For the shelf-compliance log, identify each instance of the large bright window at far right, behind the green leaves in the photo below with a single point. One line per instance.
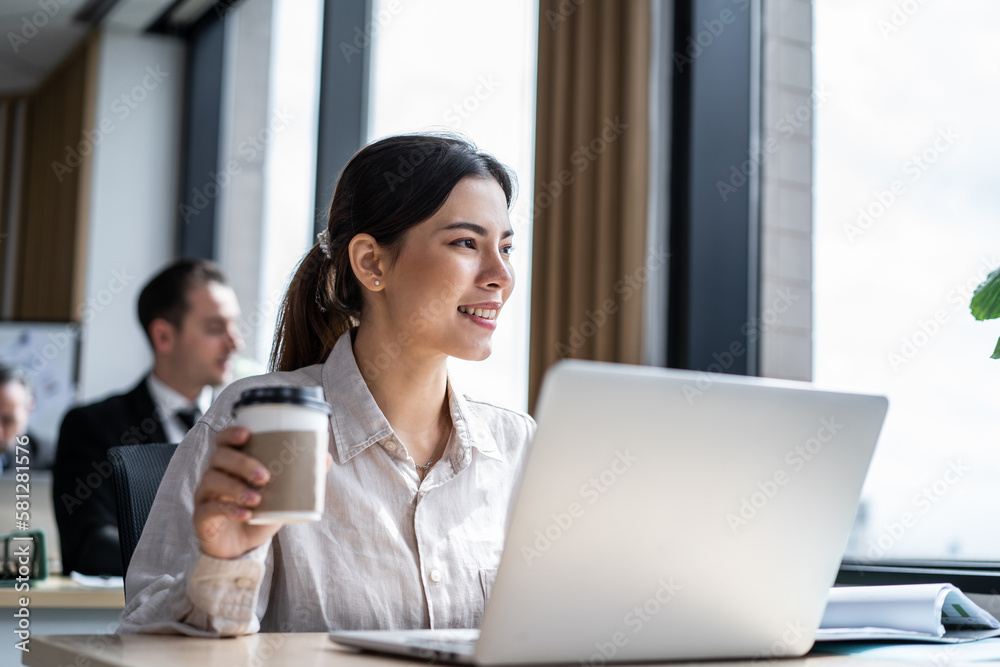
(906, 206)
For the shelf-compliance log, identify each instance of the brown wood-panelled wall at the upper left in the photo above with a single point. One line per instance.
(52, 176)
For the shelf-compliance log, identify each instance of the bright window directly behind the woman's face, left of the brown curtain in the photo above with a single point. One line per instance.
(469, 68)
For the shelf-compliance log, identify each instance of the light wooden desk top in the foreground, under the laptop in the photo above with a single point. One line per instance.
(305, 649)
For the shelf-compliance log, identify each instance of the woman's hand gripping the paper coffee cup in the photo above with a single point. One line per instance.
(224, 499)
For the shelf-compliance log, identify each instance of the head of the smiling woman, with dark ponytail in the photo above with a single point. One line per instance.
(462, 198)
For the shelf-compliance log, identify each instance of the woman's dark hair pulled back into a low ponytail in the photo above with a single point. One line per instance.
(385, 189)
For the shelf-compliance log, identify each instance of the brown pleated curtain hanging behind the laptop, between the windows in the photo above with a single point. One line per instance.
(591, 179)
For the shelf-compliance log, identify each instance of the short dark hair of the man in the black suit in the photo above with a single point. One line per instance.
(165, 296)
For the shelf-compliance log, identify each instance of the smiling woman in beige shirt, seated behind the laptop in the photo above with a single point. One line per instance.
(413, 267)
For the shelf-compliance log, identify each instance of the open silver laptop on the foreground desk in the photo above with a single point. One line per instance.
(667, 515)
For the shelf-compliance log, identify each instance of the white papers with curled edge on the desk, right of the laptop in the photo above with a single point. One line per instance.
(917, 612)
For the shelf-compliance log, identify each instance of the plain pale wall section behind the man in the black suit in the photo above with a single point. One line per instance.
(133, 201)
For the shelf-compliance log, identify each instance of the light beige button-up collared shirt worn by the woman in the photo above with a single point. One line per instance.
(392, 551)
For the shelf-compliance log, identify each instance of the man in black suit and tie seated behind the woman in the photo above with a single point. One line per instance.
(189, 315)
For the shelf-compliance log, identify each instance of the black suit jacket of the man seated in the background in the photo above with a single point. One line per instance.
(82, 489)
